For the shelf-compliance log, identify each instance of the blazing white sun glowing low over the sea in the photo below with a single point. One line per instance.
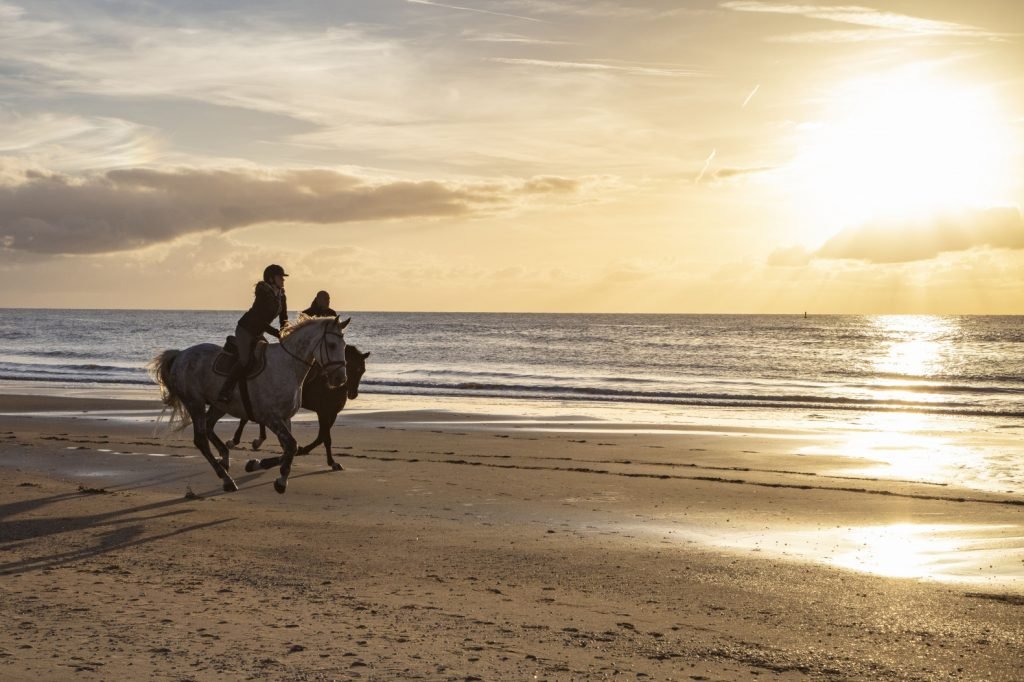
(904, 146)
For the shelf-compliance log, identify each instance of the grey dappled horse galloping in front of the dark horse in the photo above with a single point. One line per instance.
(189, 386)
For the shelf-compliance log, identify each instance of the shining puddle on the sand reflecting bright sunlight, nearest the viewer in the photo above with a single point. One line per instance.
(980, 556)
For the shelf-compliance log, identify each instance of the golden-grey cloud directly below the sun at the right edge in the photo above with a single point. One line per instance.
(897, 242)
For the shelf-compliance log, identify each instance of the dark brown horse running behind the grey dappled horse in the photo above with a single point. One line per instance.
(323, 400)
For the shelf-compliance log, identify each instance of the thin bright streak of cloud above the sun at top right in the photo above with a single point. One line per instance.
(891, 22)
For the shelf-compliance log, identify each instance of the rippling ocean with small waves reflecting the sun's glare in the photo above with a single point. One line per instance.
(917, 364)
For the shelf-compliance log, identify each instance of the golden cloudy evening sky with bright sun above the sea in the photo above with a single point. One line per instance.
(576, 156)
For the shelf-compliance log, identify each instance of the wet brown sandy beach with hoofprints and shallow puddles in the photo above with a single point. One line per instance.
(461, 546)
